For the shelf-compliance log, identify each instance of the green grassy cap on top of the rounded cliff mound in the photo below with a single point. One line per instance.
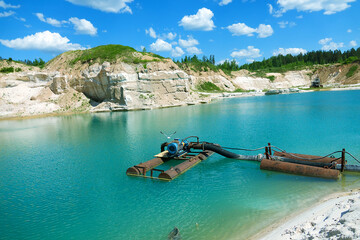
(110, 53)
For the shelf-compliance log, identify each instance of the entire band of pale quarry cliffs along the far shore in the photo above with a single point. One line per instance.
(65, 87)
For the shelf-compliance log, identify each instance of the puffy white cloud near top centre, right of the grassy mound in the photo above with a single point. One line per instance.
(201, 21)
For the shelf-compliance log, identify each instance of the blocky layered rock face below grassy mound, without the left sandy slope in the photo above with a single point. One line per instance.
(155, 84)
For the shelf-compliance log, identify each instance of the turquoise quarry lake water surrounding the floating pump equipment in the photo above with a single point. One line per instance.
(64, 177)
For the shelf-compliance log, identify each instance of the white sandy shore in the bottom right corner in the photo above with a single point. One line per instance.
(336, 217)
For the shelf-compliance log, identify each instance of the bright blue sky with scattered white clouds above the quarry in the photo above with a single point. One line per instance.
(246, 30)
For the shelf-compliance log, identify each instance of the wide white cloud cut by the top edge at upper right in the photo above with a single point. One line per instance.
(328, 6)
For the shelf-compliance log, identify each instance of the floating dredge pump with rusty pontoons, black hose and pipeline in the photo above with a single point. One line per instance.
(190, 154)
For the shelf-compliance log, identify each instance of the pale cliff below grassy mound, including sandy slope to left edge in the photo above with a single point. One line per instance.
(96, 87)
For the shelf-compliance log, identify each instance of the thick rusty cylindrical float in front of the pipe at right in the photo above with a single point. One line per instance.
(299, 169)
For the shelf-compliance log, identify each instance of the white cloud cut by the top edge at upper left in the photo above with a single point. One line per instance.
(114, 6)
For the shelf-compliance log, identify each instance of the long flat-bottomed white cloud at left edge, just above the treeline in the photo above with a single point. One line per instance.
(44, 41)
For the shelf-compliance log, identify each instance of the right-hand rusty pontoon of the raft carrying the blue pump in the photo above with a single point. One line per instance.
(179, 169)
